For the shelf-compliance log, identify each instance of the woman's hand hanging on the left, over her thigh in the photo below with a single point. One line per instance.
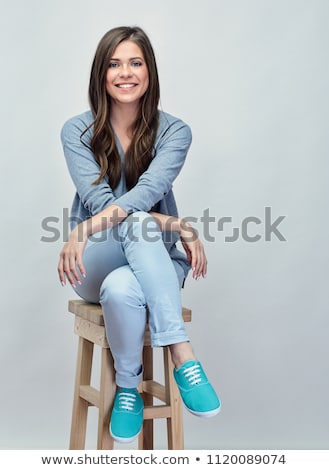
(71, 256)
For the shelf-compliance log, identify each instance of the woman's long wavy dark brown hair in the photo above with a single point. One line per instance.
(139, 153)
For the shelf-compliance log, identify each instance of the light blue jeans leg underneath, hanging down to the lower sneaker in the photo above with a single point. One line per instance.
(110, 281)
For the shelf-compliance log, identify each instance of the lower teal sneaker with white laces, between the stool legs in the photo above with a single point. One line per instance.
(127, 415)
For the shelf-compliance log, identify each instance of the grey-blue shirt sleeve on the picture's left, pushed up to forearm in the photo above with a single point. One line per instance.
(83, 168)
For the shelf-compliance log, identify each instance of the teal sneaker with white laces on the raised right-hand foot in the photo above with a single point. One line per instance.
(197, 394)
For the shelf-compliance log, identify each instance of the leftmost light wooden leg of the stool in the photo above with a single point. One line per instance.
(80, 406)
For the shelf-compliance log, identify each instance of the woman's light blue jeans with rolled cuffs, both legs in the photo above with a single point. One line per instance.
(128, 270)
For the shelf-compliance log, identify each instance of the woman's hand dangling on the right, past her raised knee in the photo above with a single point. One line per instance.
(194, 250)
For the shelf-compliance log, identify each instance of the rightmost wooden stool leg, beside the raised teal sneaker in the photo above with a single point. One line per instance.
(175, 422)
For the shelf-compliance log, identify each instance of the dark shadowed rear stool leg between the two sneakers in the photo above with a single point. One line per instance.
(146, 437)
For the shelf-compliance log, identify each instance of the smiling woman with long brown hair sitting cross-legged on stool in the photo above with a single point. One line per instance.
(123, 156)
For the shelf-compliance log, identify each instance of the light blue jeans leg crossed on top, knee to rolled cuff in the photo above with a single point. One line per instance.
(152, 266)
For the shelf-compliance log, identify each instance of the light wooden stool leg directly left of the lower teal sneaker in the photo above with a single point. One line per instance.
(106, 399)
